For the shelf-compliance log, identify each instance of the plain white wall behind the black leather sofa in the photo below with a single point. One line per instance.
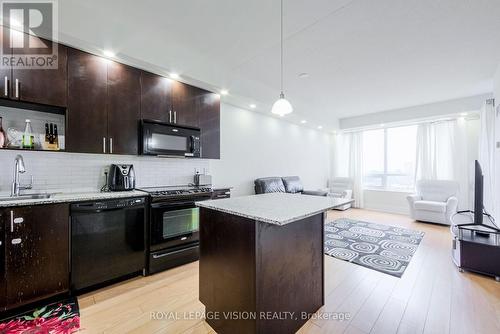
(255, 145)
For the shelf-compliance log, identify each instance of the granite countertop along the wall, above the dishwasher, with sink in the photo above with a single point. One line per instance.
(71, 197)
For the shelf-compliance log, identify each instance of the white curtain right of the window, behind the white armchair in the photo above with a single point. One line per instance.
(442, 154)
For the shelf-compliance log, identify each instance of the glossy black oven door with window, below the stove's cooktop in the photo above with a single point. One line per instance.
(174, 224)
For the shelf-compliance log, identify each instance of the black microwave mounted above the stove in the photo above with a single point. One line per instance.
(164, 139)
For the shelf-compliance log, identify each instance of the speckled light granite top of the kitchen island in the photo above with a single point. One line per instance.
(275, 208)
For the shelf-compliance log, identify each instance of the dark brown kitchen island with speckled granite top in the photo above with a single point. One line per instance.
(261, 261)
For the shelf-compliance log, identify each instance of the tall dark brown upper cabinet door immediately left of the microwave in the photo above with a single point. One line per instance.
(123, 106)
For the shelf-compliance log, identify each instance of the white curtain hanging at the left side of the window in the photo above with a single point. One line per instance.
(348, 157)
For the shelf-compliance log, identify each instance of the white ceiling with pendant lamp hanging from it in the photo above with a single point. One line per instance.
(362, 56)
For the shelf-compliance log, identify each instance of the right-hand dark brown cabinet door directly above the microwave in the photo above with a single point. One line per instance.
(185, 104)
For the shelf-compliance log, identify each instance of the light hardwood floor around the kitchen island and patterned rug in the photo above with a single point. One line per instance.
(431, 297)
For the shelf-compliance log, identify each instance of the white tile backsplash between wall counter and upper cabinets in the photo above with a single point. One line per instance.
(72, 172)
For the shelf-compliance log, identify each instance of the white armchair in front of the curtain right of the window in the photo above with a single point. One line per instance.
(435, 201)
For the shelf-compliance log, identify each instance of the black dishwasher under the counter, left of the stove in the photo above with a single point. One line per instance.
(107, 241)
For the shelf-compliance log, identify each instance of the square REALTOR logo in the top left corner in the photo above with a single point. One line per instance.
(28, 34)
